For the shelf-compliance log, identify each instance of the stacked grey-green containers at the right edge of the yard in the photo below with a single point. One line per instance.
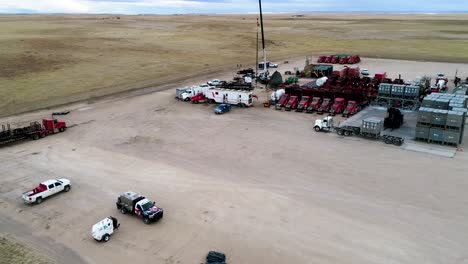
(441, 118)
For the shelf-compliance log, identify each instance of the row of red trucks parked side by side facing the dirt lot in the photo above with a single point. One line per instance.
(318, 105)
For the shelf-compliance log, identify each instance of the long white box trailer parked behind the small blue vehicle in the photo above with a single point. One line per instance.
(233, 97)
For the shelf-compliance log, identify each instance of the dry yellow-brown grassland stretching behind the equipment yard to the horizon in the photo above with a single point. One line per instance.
(50, 60)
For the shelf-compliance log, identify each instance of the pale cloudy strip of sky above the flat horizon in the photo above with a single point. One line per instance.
(227, 6)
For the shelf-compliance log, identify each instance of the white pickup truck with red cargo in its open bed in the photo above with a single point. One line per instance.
(46, 189)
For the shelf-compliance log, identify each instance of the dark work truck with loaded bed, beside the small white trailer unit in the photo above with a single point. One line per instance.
(138, 205)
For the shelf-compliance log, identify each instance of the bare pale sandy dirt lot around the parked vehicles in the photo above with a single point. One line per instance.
(257, 184)
